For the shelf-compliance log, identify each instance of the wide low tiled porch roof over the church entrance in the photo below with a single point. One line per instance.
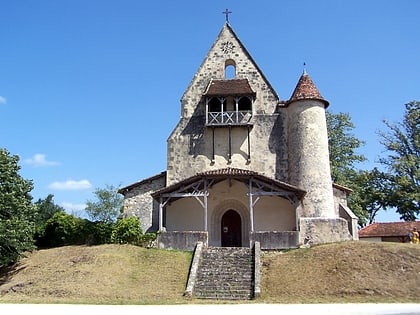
(230, 173)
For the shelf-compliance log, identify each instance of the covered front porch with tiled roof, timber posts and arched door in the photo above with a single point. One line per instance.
(229, 208)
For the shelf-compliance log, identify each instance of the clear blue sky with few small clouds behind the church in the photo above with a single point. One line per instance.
(90, 89)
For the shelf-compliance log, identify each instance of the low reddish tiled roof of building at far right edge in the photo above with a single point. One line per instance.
(396, 229)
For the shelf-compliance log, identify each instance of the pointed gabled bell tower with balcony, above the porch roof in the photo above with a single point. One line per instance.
(227, 114)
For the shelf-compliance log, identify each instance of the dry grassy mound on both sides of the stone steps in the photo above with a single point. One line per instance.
(112, 274)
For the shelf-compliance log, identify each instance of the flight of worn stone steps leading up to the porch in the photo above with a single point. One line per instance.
(225, 273)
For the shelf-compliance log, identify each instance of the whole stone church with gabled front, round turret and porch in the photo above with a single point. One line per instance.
(244, 166)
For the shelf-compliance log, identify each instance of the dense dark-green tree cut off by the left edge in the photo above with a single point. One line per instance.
(16, 210)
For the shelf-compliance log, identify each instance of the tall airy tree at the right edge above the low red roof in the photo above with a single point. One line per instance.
(402, 142)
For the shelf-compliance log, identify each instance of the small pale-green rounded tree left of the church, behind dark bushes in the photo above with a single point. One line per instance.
(108, 206)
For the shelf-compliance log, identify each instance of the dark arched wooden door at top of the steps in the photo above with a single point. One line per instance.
(231, 229)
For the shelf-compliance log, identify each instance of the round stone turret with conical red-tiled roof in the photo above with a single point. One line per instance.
(309, 164)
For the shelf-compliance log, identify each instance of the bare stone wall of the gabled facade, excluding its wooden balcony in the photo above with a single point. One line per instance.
(190, 145)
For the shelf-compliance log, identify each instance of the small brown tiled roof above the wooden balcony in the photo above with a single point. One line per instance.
(229, 87)
